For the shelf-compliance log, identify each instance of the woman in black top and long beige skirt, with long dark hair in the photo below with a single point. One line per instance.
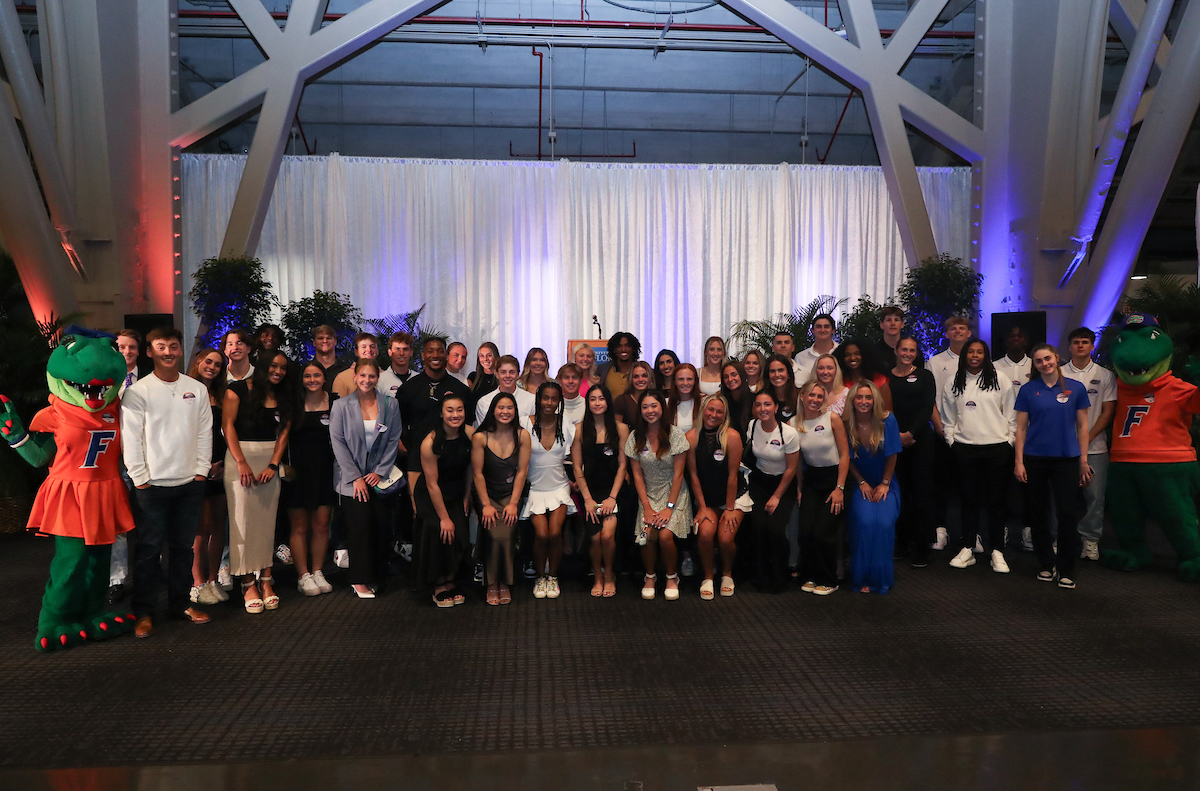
(256, 417)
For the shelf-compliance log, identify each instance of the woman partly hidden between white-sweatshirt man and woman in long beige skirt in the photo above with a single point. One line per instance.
(209, 369)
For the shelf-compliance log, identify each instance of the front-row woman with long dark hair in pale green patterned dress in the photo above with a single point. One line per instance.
(658, 454)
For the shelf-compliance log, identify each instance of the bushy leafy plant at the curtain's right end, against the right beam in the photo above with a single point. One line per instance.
(938, 290)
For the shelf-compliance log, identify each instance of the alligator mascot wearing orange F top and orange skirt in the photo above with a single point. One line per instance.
(83, 504)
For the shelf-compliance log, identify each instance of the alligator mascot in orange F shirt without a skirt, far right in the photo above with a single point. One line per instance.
(1154, 470)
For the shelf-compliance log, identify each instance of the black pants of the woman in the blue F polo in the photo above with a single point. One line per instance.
(1055, 477)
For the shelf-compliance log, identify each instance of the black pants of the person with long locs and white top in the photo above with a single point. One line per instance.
(985, 471)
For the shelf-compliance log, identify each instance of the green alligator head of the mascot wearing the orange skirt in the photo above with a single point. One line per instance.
(86, 370)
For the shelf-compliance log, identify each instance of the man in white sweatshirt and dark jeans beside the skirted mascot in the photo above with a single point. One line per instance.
(167, 438)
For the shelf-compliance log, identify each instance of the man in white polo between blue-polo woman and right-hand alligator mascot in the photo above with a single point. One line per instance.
(1102, 392)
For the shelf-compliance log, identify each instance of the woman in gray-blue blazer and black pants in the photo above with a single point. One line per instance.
(364, 429)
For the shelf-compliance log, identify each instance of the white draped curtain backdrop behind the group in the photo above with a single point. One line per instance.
(525, 254)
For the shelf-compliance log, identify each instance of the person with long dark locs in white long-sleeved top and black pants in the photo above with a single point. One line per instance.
(981, 429)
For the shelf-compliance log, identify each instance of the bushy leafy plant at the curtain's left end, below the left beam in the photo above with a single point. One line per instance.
(231, 293)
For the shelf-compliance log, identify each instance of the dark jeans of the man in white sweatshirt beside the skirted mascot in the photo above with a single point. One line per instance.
(167, 519)
